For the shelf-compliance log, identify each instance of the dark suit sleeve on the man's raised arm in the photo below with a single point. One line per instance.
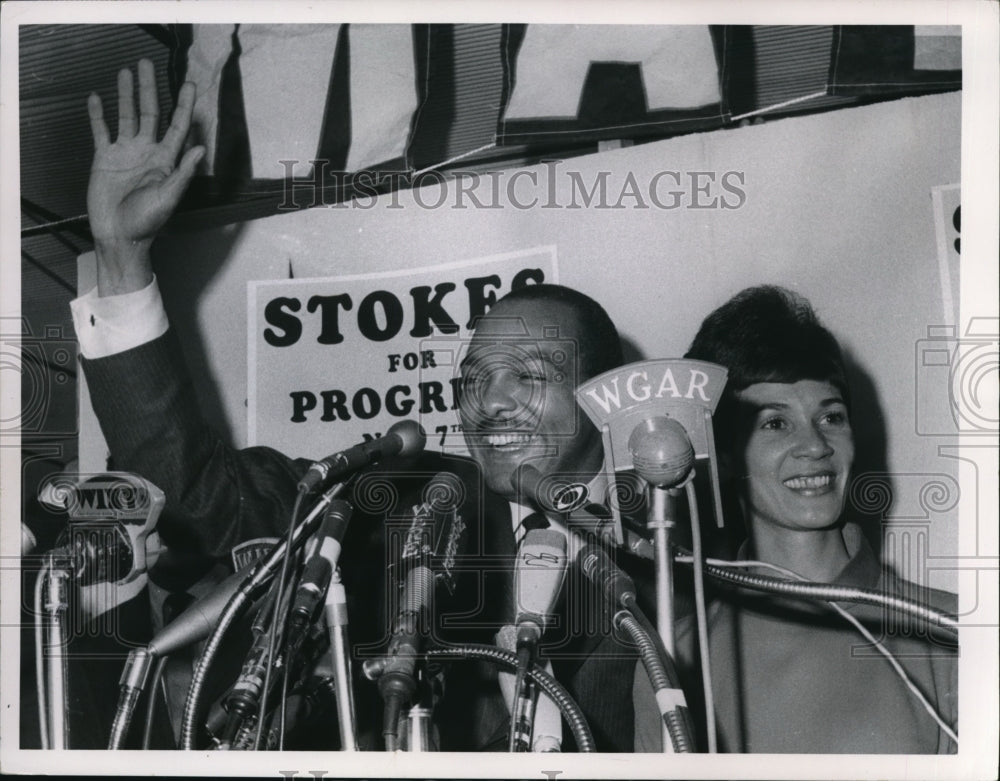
(216, 496)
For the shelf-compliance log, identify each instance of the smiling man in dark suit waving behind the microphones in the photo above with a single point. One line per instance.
(518, 407)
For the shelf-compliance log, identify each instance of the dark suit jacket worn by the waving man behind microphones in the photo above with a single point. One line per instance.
(218, 497)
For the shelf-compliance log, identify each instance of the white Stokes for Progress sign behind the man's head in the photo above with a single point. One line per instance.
(337, 360)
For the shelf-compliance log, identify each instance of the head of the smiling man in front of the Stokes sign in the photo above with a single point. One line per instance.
(519, 379)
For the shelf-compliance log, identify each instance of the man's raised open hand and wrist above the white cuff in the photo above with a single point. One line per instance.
(134, 183)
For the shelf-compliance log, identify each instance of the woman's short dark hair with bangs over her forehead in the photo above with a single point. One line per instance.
(769, 334)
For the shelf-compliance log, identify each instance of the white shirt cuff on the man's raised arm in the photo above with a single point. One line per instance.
(113, 324)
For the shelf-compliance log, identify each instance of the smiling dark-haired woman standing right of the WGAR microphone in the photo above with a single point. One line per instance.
(792, 676)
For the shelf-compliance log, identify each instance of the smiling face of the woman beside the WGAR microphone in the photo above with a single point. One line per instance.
(798, 454)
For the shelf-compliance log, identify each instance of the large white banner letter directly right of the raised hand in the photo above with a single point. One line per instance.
(285, 77)
